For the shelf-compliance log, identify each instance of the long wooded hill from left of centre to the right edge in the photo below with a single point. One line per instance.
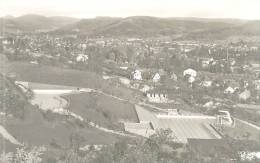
(192, 28)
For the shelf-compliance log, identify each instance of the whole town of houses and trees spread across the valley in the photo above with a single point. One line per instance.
(215, 58)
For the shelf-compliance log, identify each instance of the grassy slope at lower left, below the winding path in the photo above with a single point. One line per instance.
(36, 127)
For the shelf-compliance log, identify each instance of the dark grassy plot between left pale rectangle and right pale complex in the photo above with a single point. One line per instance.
(103, 110)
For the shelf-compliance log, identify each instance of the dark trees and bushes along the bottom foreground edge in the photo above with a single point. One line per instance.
(159, 148)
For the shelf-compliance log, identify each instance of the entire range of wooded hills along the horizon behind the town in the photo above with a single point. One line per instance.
(192, 28)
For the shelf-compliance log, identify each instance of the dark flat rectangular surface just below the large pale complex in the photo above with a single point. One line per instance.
(219, 148)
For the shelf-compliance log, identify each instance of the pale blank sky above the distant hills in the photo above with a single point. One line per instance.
(242, 9)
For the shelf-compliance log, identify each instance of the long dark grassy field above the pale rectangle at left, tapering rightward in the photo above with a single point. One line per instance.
(67, 77)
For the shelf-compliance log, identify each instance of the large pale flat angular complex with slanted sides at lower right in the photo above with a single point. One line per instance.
(183, 127)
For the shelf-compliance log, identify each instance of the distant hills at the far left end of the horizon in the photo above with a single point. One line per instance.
(33, 23)
